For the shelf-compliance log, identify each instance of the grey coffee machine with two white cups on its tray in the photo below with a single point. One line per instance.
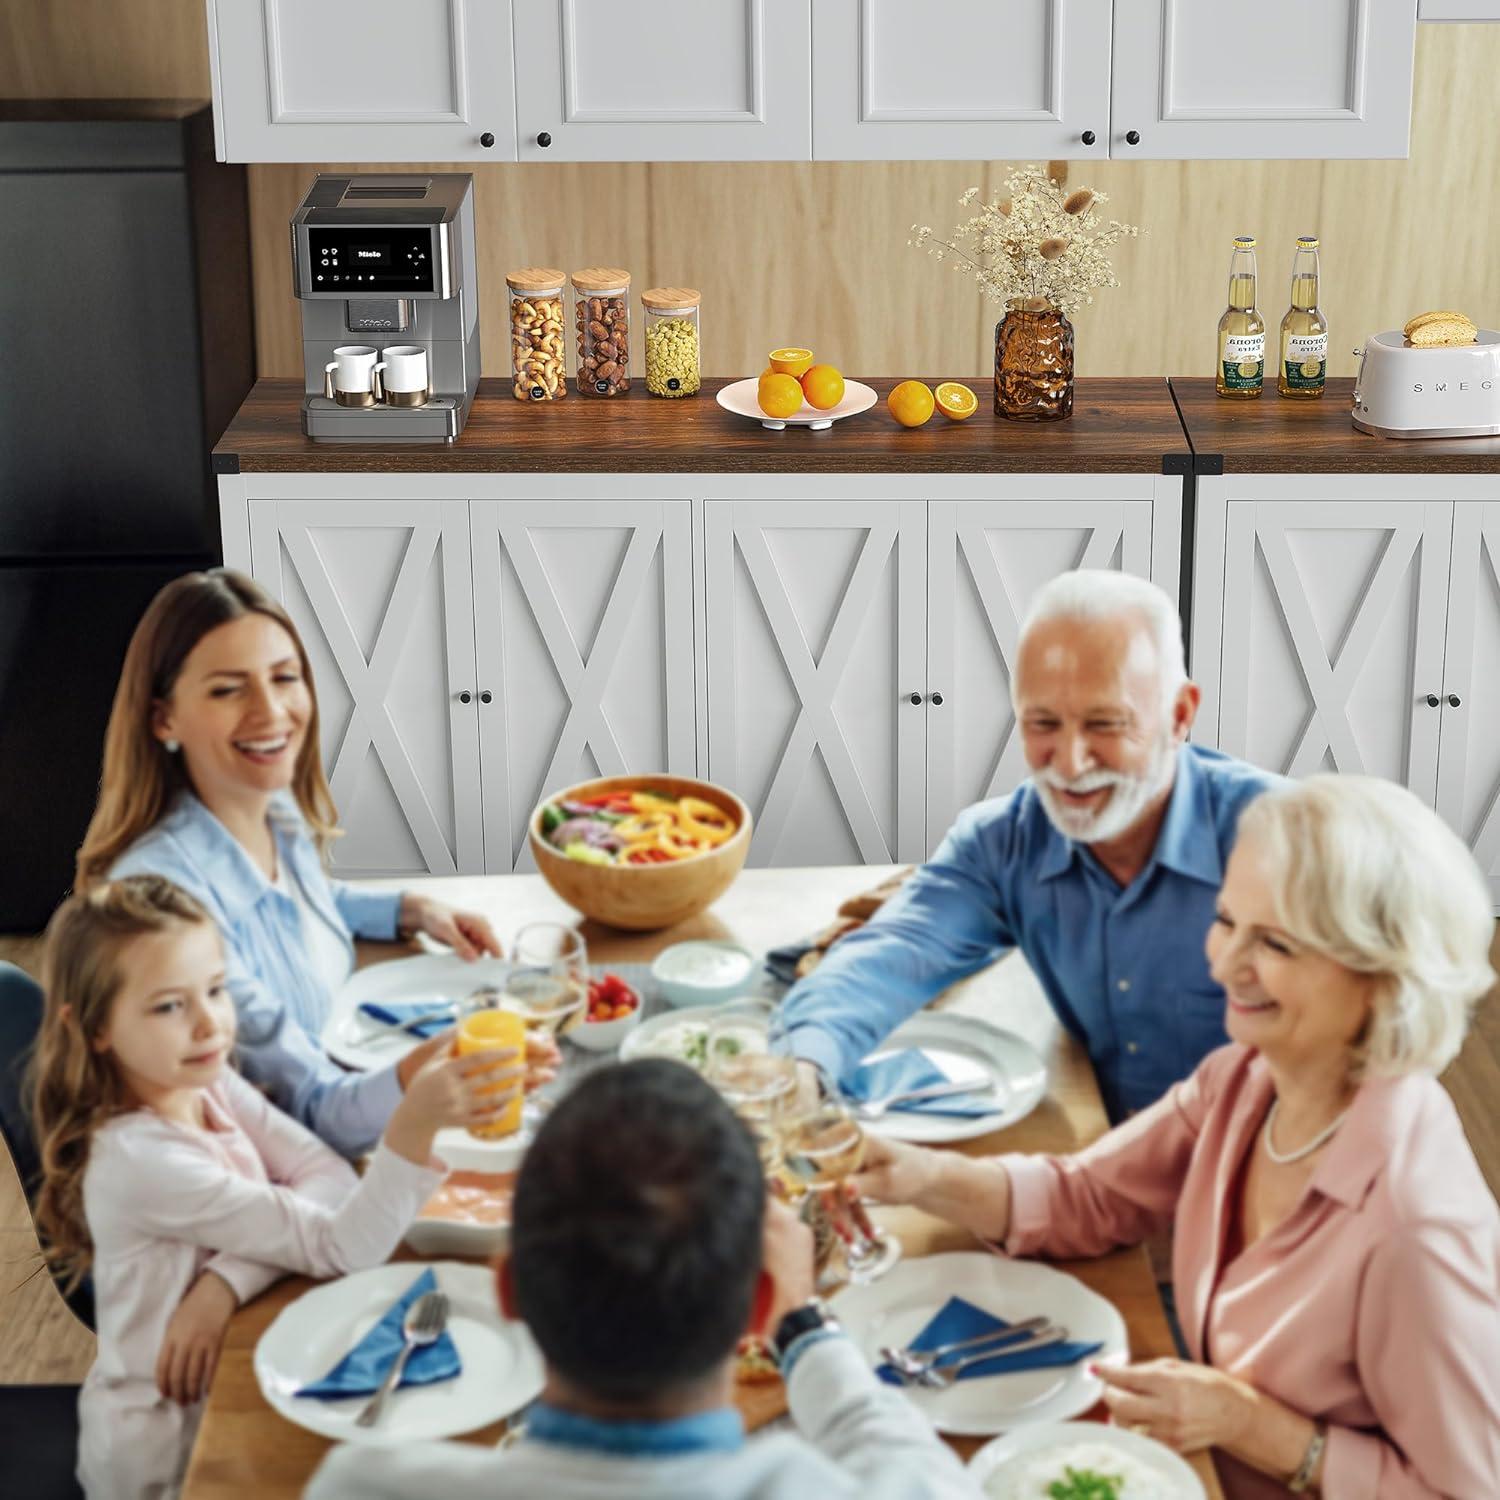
(386, 262)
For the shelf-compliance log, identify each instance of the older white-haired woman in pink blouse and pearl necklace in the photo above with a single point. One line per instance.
(1337, 1252)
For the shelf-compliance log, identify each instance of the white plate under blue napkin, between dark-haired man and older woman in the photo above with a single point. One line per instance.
(898, 1307)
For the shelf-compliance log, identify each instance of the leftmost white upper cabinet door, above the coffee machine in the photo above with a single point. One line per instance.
(382, 82)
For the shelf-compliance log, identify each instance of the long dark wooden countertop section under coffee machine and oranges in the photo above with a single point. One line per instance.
(1117, 427)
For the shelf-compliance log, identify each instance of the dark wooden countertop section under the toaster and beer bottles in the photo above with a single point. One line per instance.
(1276, 436)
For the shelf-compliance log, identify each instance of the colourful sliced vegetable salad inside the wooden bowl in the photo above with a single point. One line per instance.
(635, 829)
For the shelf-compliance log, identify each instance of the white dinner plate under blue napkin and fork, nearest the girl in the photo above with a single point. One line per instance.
(502, 1364)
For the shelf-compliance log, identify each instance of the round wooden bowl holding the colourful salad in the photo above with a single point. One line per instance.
(646, 898)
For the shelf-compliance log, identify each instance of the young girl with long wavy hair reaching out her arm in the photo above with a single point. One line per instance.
(178, 1183)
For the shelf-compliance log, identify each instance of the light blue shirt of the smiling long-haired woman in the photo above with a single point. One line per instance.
(280, 1003)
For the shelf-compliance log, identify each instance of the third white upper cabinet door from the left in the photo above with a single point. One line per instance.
(1030, 79)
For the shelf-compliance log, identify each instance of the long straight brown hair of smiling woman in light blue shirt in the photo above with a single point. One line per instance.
(140, 776)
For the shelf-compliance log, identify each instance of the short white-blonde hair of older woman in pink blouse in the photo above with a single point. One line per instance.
(1367, 875)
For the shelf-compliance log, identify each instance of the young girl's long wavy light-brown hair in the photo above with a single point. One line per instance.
(76, 1088)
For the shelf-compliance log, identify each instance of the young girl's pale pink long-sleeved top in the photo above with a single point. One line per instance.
(251, 1198)
